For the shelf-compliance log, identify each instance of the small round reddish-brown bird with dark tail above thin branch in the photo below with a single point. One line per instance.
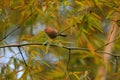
(53, 33)
